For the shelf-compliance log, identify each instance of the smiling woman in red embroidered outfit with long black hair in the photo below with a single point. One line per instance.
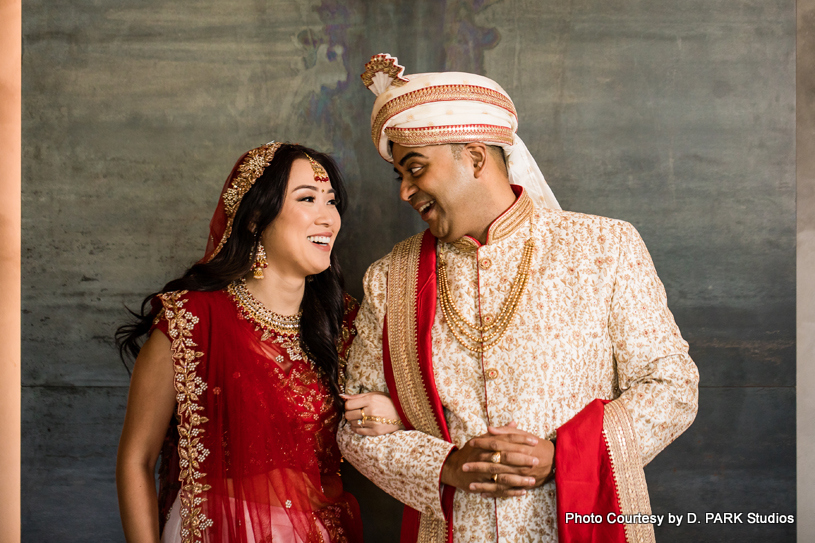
(239, 391)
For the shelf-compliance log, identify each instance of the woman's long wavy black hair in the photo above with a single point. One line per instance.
(323, 303)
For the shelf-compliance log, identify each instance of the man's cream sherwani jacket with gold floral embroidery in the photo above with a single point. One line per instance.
(592, 323)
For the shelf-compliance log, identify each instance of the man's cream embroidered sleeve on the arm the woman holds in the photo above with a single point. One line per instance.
(405, 464)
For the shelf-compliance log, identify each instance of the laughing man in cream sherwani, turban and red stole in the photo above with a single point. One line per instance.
(529, 351)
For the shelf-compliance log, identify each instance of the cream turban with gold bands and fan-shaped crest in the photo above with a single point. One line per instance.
(449, 107)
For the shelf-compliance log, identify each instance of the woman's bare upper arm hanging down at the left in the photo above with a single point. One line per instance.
(150, 406)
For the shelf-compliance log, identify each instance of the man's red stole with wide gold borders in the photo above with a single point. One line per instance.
(598, 468)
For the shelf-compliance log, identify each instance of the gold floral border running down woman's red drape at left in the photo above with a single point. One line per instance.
(189, 388)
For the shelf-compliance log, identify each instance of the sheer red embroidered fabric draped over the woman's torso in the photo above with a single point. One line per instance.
(255, 453)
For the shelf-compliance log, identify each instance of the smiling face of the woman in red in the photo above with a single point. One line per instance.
(300, 239)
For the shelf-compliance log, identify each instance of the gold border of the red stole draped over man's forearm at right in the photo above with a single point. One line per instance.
(626, 463)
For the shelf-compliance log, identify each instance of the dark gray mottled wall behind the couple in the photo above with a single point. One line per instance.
(677, 116)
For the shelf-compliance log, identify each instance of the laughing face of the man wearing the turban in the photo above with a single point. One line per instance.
(438, 185)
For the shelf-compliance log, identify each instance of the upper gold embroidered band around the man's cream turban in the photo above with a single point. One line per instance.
(439, 93)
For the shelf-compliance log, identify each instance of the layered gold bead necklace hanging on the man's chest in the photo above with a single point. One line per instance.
(480, 339)
